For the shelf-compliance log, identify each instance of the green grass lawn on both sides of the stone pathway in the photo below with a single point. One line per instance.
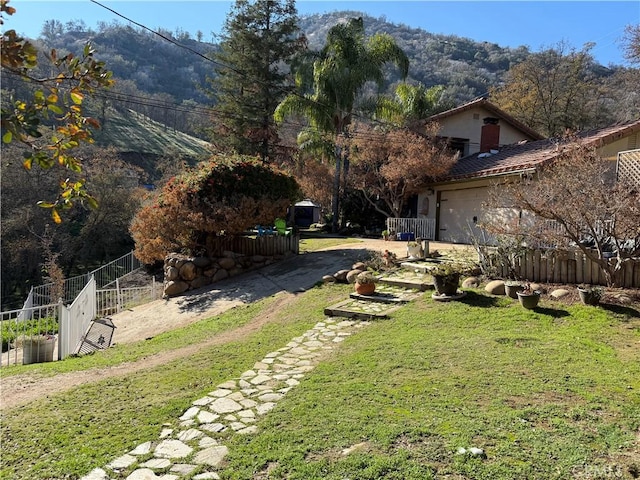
(546, 394)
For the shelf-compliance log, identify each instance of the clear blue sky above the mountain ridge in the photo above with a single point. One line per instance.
(536, 24)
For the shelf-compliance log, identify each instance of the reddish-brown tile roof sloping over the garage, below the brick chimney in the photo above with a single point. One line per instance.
(529, 155)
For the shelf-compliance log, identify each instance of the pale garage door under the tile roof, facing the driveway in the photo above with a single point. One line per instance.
(460, 212)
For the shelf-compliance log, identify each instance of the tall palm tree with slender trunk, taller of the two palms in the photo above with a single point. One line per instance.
(331, 81)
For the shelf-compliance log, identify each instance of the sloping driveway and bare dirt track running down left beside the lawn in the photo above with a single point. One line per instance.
(284, 279)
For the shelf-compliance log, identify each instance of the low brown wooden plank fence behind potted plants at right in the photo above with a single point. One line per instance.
(566, 266)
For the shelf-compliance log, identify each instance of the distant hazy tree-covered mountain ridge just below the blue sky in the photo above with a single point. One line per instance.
(148, 64)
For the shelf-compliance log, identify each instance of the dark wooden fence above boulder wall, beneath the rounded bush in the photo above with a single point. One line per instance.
(266, 245)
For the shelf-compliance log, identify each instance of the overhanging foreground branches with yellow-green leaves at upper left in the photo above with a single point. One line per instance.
(56, 99)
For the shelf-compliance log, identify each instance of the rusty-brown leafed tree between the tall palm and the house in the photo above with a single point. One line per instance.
(390, 165)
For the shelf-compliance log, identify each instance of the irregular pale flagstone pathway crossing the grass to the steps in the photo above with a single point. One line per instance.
(193, 445)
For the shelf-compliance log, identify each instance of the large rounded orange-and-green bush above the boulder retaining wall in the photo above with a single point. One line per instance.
(222, 196)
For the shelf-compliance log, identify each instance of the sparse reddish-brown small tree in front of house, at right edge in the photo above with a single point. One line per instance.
(575, 202)
